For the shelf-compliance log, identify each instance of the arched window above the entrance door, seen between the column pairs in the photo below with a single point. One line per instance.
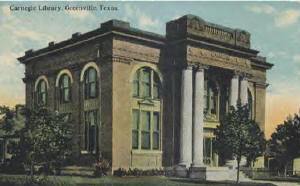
(211, 99)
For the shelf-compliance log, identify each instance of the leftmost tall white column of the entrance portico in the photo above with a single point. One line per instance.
(186, 117)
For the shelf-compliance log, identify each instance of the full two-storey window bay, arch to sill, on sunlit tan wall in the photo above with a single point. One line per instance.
(146, 119)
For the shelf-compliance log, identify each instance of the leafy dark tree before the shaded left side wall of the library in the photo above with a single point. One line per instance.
(45, 139)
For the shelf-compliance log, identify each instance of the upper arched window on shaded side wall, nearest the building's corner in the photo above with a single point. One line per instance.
(90, 83)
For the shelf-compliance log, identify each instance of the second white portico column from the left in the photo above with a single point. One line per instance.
(198, 119)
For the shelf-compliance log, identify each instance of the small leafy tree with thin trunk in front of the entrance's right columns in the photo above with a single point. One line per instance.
(238, 136)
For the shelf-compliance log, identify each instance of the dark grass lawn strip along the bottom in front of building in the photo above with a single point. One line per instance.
(17, 180)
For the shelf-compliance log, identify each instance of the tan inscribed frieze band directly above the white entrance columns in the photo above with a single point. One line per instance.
(219, 59)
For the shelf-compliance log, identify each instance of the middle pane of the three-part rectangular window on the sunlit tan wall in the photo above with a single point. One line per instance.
(145, 122)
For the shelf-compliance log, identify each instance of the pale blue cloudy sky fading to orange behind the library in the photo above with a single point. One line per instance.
(274, 28)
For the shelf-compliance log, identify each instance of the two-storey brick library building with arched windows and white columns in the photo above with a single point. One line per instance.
(146, 100)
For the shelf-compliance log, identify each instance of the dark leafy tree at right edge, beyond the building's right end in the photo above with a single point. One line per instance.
(285, 142)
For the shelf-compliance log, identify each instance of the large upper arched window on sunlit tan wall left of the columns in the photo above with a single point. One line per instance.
(146, 84)
